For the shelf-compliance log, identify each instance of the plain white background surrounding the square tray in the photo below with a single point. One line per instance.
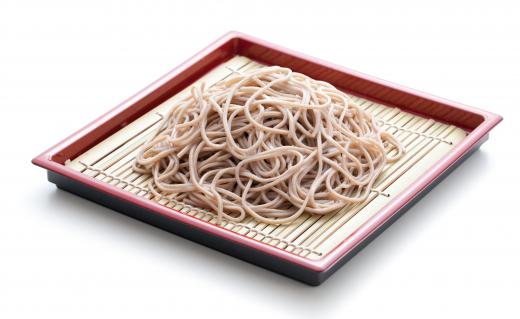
(456, 253)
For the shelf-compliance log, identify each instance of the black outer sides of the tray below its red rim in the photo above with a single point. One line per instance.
(265, 260)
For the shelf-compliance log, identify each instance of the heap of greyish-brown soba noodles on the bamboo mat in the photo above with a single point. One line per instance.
(270, 143)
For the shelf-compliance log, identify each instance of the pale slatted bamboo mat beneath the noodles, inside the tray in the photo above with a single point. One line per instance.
(424, 140)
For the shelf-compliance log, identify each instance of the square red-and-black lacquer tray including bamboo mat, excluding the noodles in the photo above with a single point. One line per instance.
(437, 134)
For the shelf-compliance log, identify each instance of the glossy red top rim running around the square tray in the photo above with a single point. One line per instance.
(490, 120)
